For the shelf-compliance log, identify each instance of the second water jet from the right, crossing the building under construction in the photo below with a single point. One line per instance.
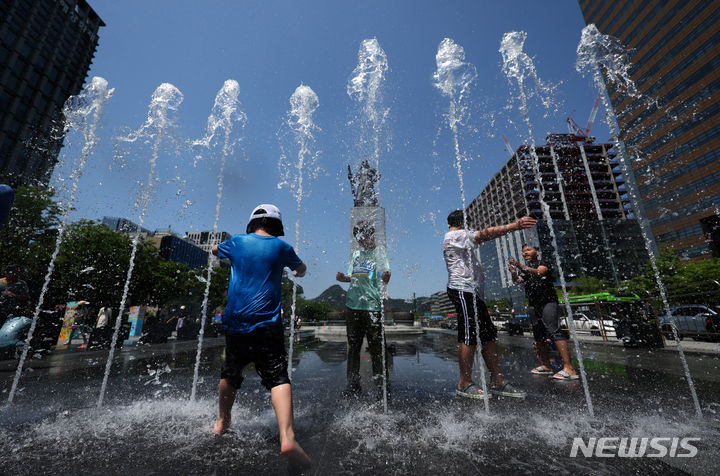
(518, 67)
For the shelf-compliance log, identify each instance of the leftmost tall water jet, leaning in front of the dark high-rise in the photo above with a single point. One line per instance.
(82, 113)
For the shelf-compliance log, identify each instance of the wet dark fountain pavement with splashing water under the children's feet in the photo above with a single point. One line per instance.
(149, 426)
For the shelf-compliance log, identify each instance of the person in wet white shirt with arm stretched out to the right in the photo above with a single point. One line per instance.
(466, 290)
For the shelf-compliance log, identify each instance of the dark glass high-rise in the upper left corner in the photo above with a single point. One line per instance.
(46, 48)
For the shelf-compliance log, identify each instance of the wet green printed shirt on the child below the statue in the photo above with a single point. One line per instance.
(365, 270)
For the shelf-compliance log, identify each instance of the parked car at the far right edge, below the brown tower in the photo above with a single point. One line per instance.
(693, 320)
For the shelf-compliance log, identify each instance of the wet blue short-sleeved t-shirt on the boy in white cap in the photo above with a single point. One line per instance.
(255, 291)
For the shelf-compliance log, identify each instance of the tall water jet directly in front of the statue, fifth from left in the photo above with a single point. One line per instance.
(365, 88)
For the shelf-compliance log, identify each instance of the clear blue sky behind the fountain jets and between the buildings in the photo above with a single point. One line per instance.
(271, 47)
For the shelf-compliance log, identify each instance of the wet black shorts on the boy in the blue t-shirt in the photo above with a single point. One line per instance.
(265, 347)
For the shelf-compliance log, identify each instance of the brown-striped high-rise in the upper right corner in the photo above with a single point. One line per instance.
(672, 132)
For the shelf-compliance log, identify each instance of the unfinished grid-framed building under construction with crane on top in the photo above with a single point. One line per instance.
(581, 183)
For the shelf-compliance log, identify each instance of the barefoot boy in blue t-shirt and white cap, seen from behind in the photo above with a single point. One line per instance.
(252, 320)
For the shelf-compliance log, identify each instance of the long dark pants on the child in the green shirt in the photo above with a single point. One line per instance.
(361, 324)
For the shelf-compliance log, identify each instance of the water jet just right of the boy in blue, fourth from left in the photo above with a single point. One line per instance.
(303, 103)
